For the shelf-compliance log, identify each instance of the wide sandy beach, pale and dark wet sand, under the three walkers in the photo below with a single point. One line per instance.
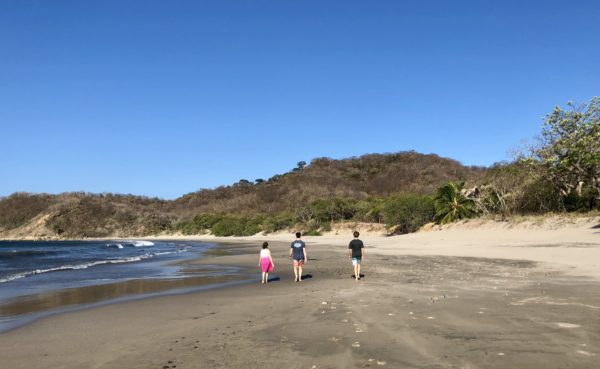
(470, 296)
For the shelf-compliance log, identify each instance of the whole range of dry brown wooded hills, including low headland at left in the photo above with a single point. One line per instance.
(76, 215)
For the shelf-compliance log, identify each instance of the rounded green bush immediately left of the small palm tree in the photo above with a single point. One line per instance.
(408, 212)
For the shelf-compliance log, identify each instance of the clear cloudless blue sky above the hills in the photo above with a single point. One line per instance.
(163, 98)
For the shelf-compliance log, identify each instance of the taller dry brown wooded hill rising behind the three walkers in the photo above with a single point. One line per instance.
(356, 178)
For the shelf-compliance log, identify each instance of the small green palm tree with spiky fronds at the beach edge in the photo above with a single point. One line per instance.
(451, 205)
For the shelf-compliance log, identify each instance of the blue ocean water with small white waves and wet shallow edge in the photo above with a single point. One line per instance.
(37, 278)
